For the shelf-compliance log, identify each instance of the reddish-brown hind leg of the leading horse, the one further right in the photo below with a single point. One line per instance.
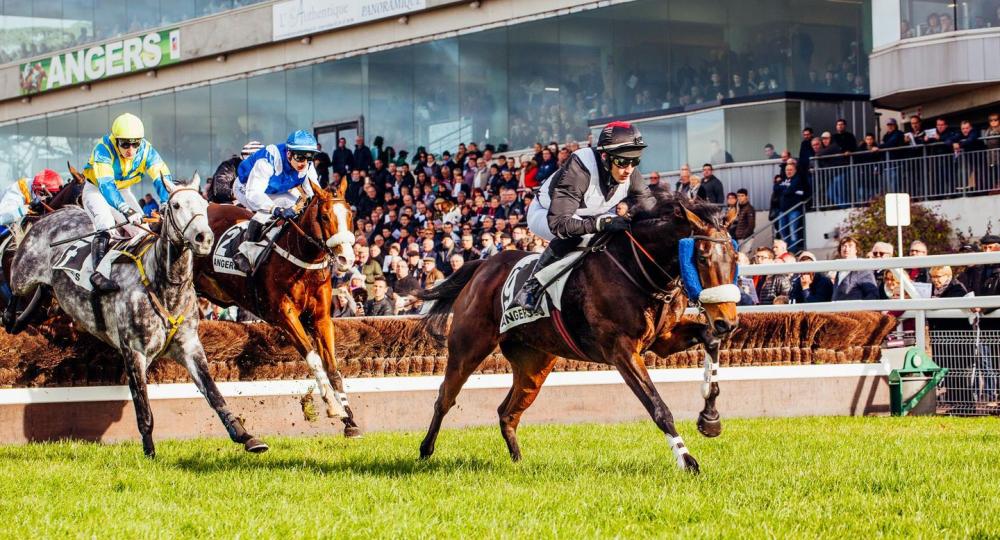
(531, 367)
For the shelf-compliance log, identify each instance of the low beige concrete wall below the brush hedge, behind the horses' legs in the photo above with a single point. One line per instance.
(111, 421)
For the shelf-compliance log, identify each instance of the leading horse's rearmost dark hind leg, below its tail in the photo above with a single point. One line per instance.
(463, 359)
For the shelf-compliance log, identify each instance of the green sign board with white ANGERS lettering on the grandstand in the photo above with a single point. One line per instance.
(101, 61)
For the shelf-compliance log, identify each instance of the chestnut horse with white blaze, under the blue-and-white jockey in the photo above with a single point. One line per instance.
(291, 287)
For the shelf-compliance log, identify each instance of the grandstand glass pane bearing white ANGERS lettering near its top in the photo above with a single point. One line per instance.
(533, 84)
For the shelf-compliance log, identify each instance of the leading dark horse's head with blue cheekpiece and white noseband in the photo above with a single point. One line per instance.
(706, 258)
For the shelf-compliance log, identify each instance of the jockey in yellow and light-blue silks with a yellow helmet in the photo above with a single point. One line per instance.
(119, 160)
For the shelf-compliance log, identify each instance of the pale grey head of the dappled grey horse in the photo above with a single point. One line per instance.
(185, 216)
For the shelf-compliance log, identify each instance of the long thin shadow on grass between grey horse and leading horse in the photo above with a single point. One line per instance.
(388, 467)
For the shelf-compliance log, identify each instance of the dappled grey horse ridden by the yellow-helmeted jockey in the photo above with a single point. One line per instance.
(142, 322)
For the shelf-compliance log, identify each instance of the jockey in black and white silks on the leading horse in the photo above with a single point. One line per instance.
(579, 199)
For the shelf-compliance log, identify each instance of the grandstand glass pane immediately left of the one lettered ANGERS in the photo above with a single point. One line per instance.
(483, 86)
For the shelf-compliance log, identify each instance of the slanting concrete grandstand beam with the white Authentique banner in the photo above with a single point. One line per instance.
(244, 36)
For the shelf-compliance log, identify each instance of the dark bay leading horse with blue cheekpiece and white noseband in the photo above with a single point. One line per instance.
(620, 301)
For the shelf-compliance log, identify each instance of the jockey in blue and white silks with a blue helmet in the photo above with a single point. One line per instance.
(270, 182)
